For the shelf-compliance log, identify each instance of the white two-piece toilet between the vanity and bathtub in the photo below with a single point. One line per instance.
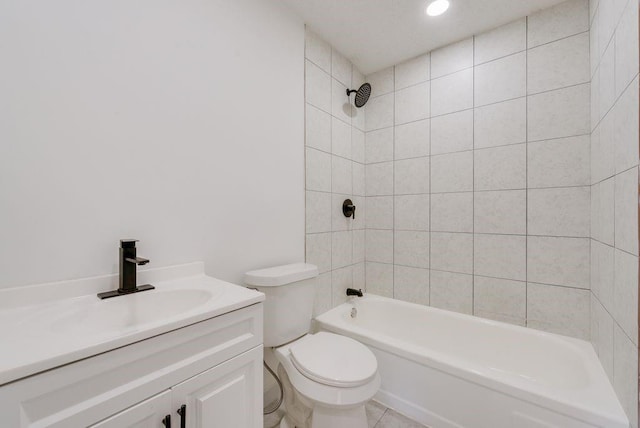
(327, 378)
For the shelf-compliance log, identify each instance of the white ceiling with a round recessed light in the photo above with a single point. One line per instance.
(375, 34)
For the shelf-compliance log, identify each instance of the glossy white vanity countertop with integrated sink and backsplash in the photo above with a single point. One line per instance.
(49, 325)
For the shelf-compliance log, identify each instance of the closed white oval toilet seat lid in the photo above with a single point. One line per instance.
(334, 360)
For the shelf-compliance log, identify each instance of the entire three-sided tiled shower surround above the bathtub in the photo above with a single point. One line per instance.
(501, 178)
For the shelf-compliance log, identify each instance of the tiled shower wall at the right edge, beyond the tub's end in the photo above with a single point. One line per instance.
(614, 194)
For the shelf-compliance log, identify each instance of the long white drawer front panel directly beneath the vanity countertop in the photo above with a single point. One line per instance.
(87, 391)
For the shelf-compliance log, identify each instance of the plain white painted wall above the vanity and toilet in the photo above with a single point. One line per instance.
(179, 123)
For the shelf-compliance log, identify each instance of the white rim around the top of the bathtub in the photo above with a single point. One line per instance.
(542, 396)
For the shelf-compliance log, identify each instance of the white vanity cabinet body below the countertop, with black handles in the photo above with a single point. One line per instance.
(213, 367)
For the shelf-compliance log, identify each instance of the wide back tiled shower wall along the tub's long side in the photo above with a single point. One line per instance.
(477, 175)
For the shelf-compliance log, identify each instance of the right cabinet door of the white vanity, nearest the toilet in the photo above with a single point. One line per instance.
(226, 396)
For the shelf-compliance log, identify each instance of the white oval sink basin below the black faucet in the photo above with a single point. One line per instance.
(132, 311)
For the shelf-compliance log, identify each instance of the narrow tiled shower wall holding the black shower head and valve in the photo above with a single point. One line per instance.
(334, 172)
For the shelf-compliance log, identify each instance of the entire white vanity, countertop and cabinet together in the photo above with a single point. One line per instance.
(186, 354)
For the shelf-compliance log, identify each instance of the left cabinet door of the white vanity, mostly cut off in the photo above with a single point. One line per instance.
(148, 414)
